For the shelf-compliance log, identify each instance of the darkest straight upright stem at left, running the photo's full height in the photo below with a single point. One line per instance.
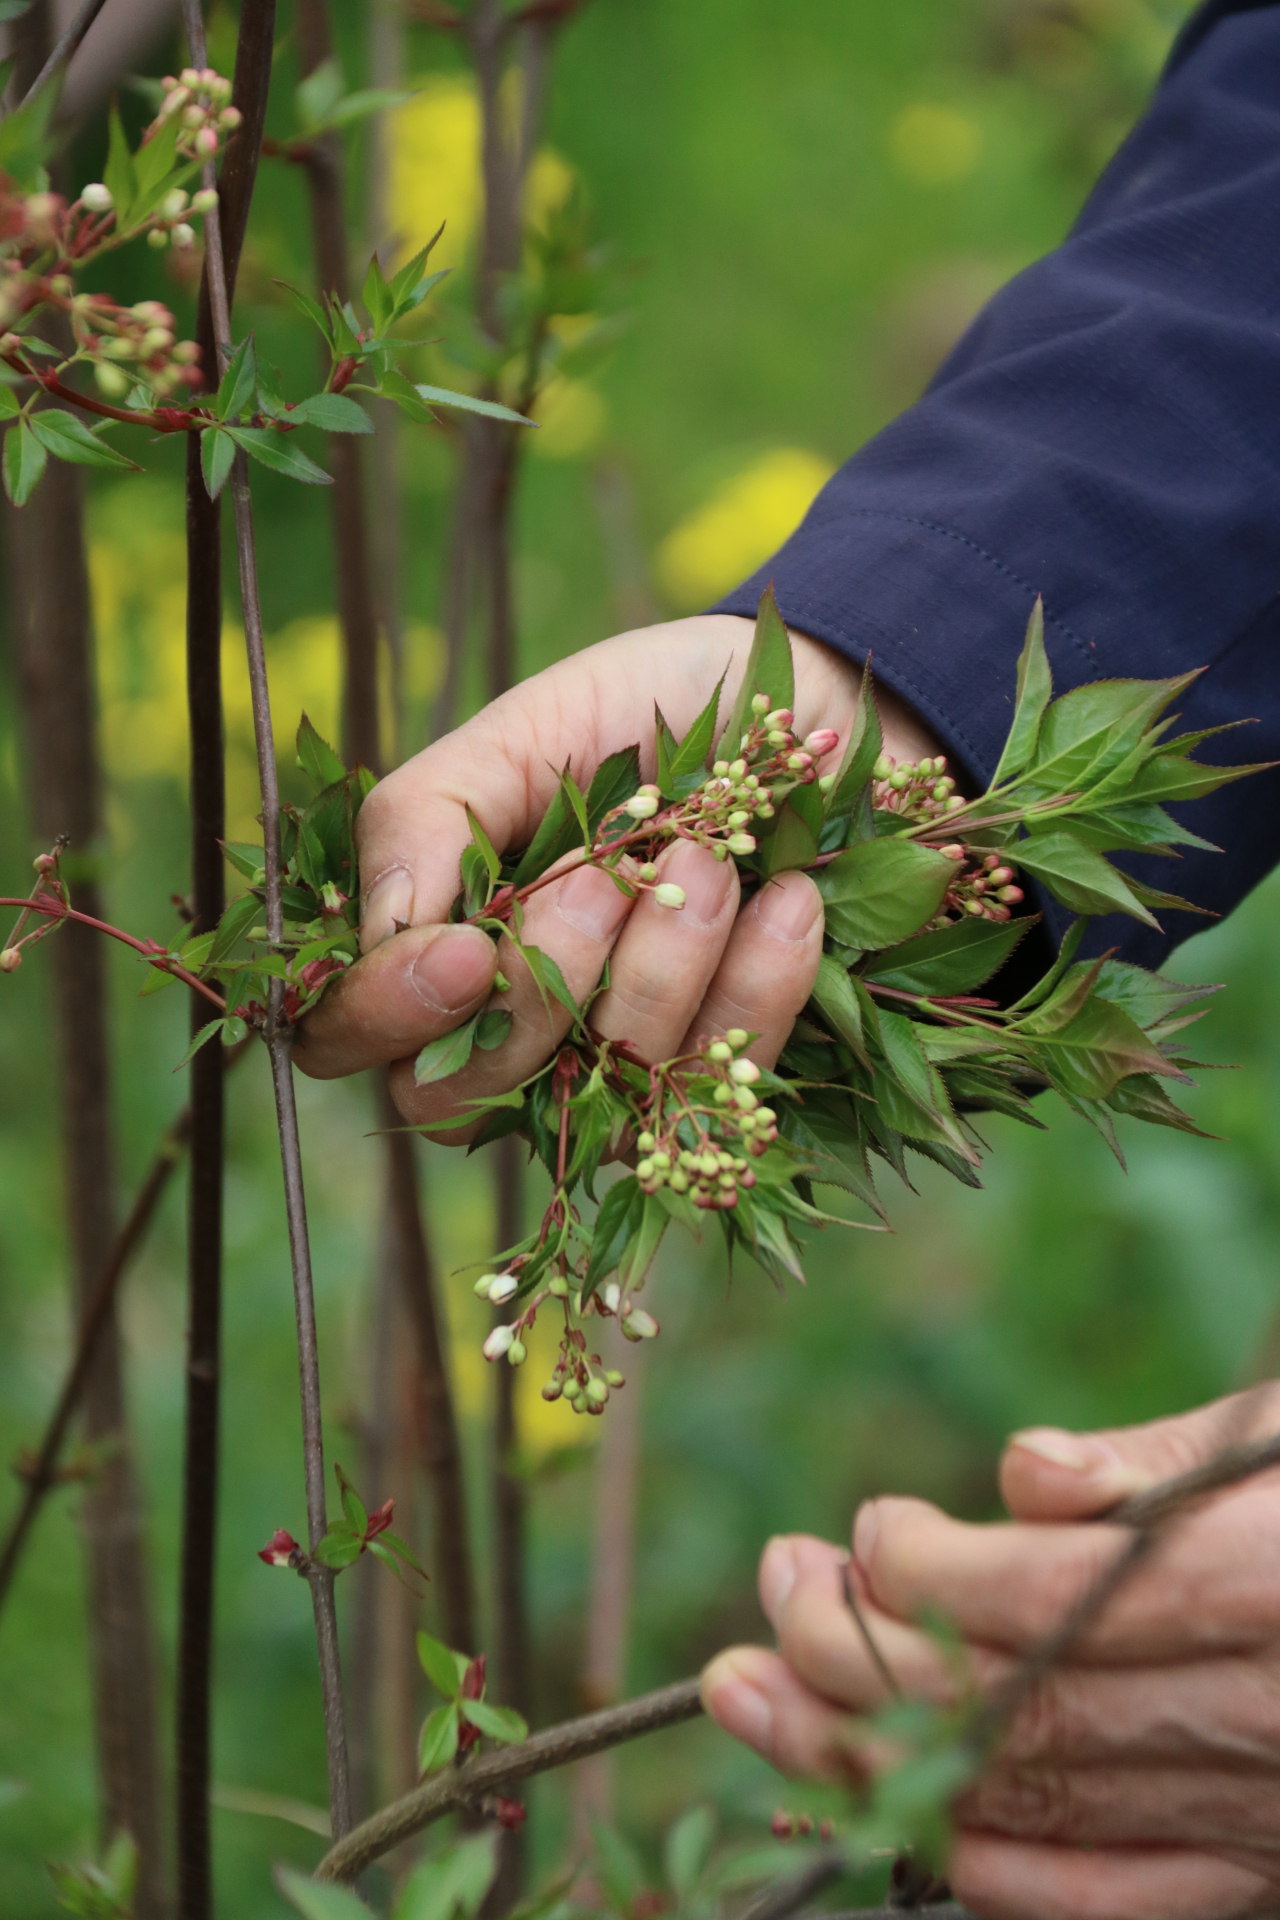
(208, 804)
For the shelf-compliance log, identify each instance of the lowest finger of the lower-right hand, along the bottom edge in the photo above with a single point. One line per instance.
(1020, 1881)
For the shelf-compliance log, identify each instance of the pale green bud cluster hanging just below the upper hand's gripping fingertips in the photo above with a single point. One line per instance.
(736, 1130)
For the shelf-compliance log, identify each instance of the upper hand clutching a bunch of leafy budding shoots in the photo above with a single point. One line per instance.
(673, 974)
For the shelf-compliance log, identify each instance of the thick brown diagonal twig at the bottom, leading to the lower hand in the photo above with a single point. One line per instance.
(467, 1787)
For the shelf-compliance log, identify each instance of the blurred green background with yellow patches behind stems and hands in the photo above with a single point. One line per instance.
(805, 206)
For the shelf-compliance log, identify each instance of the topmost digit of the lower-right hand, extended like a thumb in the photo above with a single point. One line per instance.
(1049, 1474)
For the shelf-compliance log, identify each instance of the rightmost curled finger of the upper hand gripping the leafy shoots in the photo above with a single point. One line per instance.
(769, 969)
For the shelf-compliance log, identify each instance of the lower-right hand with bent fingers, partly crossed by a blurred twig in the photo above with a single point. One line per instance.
(1158, 1748)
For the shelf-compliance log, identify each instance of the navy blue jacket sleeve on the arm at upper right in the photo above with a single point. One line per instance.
(1106, 435)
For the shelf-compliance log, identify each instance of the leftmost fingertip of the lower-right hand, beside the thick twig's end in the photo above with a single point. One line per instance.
(755, 1696)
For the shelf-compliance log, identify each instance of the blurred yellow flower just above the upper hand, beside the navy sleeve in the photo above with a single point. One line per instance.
(746, 519)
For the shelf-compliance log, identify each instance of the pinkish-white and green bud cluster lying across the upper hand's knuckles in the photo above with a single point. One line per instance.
(738, 794)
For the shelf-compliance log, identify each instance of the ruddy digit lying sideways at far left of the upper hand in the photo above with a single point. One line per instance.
(396, 999)
